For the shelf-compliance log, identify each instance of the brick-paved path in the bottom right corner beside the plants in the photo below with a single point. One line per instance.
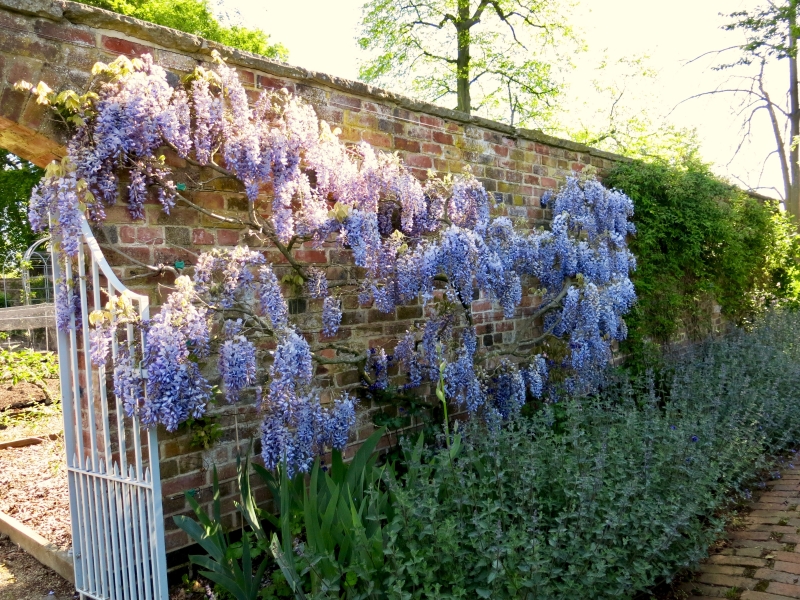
(762, 561)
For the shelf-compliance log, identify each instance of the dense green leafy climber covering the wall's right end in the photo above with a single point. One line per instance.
(699, 241)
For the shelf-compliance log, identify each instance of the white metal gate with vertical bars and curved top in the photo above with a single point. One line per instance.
(112, 462)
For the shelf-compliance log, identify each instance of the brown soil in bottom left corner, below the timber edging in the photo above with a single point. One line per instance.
(22, 577)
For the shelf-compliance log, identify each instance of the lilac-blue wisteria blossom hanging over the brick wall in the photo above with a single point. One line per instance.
(435, 242)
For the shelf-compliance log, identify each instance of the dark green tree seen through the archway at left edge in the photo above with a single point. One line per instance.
(17, 178)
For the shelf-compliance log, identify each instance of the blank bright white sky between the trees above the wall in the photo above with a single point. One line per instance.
(320, 35)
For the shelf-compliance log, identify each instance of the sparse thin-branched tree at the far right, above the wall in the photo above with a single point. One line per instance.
(770, 35)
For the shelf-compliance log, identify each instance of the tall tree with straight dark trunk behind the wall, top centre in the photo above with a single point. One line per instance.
(494, 57)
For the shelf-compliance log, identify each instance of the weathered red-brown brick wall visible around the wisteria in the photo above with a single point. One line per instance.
(58, 42)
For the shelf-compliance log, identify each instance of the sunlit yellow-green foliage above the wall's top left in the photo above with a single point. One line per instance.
(197, 18)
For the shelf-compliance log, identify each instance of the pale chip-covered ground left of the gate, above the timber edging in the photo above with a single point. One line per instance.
(34, 490)
